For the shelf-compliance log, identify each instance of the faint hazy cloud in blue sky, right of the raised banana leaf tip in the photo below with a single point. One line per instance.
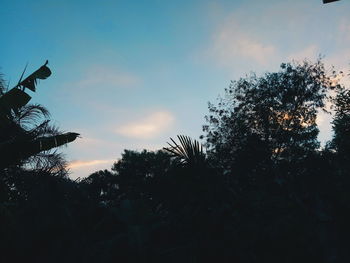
(99, 87)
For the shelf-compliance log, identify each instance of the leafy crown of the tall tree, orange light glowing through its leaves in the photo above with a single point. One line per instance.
(269, 118)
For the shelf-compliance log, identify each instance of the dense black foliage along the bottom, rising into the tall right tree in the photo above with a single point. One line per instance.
(262, 191)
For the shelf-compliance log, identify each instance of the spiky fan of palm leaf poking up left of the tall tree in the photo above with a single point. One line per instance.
(188, 151)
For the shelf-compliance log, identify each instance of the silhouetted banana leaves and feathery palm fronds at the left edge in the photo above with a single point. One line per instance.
(26, 135)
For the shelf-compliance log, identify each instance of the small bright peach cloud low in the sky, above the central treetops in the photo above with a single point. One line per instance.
(148, 127)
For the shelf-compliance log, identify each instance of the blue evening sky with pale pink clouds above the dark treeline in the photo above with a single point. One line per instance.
(132, 74)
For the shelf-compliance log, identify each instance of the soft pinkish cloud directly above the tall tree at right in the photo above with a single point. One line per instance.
(232, 42)
